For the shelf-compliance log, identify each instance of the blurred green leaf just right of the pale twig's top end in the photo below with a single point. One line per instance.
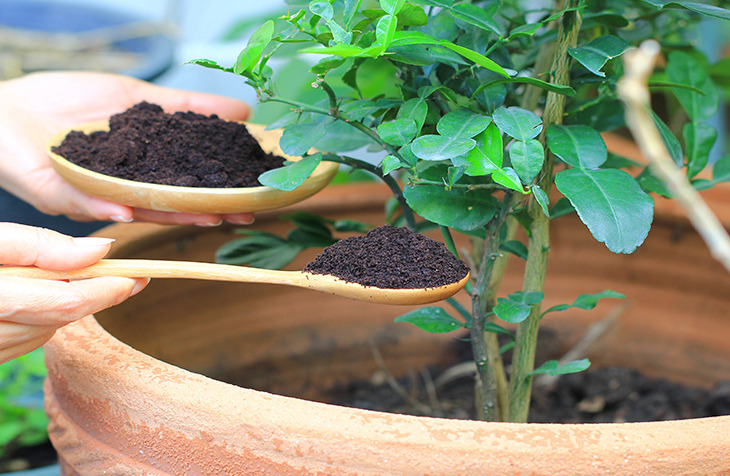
(685, 69)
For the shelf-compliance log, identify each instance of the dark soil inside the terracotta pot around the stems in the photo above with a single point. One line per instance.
(600, 395)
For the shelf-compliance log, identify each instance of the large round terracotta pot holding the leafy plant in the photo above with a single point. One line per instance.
(141, 390)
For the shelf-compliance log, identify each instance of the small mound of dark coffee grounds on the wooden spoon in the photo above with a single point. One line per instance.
(391, 258)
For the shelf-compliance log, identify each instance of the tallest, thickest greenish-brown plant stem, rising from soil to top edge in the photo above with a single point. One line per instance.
(539, 241)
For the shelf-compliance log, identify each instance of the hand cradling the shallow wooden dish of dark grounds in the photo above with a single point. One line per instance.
(38, 105)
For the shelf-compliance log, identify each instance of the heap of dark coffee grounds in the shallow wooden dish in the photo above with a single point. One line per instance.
(184, 149)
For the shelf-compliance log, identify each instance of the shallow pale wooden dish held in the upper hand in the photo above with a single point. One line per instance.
(171, 198)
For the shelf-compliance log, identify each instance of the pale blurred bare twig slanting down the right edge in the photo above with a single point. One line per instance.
(633, 90)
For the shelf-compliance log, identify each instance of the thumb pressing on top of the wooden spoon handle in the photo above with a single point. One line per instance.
(31, 246)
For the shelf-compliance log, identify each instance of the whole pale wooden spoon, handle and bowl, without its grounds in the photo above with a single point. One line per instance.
(222, 272)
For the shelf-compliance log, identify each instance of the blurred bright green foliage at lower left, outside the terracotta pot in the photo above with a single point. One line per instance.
(23, 421)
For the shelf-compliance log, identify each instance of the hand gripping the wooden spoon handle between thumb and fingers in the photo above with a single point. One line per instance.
(31, 310)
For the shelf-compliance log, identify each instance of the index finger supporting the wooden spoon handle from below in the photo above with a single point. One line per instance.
(57, 303)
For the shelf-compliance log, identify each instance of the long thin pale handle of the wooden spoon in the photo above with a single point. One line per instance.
(161, 269)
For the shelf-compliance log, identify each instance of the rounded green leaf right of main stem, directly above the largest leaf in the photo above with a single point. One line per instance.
(580, 146)
